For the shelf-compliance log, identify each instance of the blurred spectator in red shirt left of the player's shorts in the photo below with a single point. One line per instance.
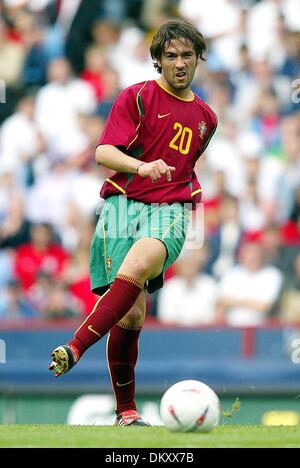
(42, 254)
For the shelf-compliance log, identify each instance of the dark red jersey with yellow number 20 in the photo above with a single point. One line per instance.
(148, 122)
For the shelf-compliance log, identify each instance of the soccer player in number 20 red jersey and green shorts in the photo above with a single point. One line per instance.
(153, 137)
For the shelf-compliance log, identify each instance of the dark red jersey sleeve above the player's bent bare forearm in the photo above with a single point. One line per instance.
(123, 121)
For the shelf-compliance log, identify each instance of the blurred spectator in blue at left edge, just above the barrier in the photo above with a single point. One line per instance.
(13, 305)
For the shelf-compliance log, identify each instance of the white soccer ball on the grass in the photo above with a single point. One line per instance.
(190, 406)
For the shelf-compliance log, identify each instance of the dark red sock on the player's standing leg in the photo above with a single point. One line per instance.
(122, 354)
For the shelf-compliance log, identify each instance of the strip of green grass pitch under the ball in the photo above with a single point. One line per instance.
(153, 437)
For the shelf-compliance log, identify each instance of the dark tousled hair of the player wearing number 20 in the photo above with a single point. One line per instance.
(176, 29)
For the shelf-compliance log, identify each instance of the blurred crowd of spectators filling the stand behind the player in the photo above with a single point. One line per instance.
(63, 63)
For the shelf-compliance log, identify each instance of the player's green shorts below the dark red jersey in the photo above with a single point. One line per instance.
(122, 222)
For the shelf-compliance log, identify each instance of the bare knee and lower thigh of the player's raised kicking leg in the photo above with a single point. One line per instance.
(145, 259)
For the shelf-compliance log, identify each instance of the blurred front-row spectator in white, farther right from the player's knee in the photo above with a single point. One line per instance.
(249, 290)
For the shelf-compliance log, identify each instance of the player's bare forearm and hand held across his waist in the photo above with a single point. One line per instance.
(112, 158)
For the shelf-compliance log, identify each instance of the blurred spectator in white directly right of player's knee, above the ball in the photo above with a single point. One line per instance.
(189, 298)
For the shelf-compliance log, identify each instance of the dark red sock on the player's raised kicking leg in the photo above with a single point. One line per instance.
(109, 310)
